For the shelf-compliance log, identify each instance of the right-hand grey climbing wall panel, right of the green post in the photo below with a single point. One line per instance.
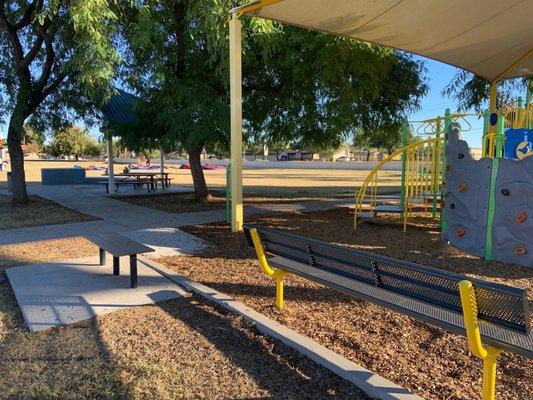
(512, 238)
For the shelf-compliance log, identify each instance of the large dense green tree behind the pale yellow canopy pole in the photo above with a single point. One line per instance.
(292, 88)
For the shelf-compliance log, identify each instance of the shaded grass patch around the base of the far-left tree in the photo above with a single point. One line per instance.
(36, 213)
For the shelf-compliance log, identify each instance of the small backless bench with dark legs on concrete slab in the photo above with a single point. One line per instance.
(119, 246)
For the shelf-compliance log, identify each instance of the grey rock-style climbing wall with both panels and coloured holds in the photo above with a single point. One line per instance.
(466, 210)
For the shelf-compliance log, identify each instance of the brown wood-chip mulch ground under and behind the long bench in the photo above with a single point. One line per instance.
(428, 360)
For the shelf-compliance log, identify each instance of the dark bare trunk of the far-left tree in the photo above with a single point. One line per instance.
(16, 155)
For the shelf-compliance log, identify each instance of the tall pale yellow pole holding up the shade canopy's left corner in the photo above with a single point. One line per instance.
(235, 34)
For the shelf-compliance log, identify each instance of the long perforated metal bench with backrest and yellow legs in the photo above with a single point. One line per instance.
(492, 316)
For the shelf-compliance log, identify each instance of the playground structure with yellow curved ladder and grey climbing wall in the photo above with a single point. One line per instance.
(487, 213)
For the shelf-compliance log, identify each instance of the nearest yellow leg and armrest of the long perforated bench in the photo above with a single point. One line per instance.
(488, 354)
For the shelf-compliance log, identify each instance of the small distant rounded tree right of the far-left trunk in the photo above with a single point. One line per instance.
(73, 141)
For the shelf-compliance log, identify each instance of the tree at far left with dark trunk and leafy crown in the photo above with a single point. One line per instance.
(55, 55)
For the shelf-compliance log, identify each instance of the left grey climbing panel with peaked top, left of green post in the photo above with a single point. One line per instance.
(466, 196)
